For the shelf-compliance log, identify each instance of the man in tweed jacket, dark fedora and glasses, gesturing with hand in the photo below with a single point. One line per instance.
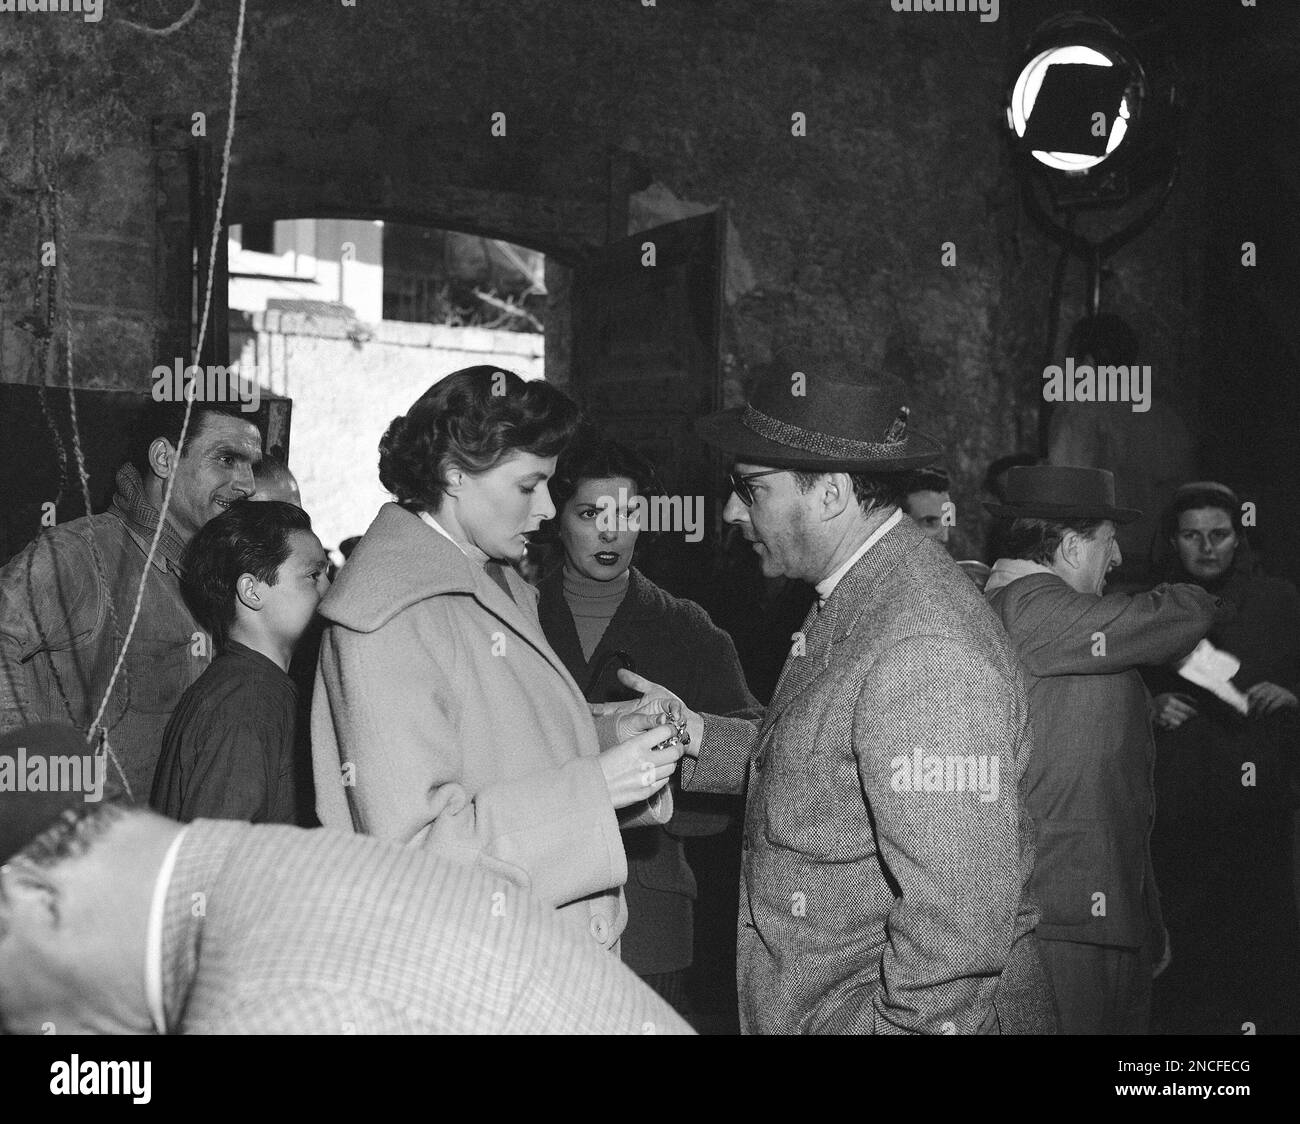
(886, 850)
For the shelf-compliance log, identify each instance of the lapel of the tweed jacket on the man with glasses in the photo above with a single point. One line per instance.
(844, 614)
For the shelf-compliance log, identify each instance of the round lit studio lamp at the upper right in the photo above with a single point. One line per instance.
(1093, 105)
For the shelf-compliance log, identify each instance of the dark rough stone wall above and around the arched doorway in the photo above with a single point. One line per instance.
(385, 111)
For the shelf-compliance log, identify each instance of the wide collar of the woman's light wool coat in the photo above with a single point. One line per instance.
(401, 562)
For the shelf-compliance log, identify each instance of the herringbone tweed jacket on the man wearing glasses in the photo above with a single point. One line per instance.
(869, 906)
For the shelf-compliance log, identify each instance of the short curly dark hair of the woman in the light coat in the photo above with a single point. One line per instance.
(473, 420)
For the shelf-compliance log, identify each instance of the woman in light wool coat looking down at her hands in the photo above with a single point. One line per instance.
(443, 715)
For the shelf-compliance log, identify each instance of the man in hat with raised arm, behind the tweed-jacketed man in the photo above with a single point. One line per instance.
(1090, 780)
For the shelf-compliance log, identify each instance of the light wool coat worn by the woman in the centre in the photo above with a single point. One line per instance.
(443, 717)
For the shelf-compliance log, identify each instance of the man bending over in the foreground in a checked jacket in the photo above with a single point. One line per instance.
(115, 919)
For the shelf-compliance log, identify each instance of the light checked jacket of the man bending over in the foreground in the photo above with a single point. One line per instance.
(283, 931)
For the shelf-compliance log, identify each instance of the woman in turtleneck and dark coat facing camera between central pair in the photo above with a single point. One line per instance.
(601, 614)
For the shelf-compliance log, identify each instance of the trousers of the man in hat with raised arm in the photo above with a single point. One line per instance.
(1100, 990)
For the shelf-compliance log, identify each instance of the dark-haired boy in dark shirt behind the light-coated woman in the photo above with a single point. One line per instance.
(253, 578)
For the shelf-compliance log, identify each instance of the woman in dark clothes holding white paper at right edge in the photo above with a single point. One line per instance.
(1227, 788)
